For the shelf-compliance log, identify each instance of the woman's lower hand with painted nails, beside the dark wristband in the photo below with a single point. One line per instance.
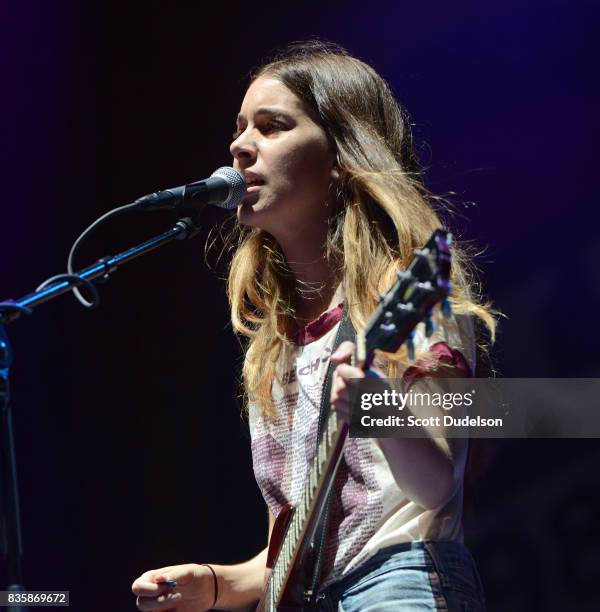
(195, 590)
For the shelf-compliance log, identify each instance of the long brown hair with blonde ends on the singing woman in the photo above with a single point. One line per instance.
(383, 211)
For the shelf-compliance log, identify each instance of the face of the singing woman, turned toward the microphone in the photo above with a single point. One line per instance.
(279, 146)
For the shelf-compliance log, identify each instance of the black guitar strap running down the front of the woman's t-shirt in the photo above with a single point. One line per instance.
(345, 331)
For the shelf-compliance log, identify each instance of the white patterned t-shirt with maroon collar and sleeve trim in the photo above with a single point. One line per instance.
(369, 511)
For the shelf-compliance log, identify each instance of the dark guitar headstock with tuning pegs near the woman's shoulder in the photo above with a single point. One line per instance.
(425, 282)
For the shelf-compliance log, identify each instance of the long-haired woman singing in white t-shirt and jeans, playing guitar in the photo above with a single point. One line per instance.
(335, 206)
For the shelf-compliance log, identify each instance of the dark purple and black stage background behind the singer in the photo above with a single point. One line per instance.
(131, 451)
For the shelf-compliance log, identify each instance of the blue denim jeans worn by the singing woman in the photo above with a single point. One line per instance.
(412, 577)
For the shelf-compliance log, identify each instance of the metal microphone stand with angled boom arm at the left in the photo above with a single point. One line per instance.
(11, 544)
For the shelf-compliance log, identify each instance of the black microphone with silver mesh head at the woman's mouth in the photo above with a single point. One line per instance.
(225, 187)
